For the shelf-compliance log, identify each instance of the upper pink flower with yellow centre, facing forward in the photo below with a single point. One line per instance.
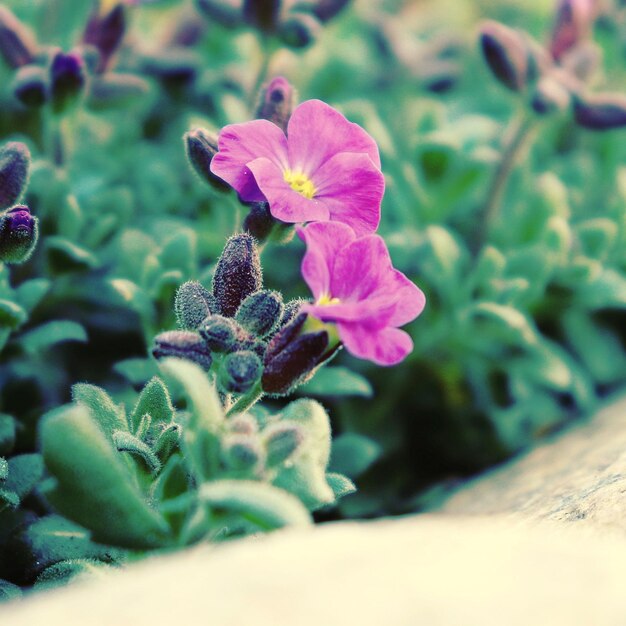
(325, 168)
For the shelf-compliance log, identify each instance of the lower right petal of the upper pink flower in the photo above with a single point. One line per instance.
(352, 189)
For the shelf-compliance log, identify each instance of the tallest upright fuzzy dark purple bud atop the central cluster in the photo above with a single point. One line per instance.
(238, 273)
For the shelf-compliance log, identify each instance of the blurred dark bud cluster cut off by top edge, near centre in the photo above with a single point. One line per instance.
(296, 24)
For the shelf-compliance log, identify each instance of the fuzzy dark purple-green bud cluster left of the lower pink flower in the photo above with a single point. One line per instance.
(241, 331)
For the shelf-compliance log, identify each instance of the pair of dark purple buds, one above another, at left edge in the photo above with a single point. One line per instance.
(18, 228)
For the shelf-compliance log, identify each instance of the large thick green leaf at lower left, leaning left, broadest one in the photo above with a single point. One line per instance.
(95, 488)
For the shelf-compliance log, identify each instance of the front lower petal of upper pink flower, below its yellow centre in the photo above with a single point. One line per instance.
(285, 203)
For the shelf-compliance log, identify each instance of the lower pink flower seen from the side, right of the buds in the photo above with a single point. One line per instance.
(356, 288)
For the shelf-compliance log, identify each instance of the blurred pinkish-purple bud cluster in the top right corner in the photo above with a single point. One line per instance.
(555, 77)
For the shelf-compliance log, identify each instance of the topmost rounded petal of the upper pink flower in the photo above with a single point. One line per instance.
(317, 132)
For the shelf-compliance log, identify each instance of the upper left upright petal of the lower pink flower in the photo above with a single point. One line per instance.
(323, 240)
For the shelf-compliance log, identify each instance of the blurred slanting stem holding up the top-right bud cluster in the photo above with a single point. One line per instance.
(519, 133)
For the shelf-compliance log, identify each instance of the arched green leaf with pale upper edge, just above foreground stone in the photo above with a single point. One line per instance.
(266, 506)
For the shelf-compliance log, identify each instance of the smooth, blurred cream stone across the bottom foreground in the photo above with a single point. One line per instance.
(432, 570)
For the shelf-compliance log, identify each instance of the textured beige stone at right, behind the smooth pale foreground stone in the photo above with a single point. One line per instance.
(578, 477)
